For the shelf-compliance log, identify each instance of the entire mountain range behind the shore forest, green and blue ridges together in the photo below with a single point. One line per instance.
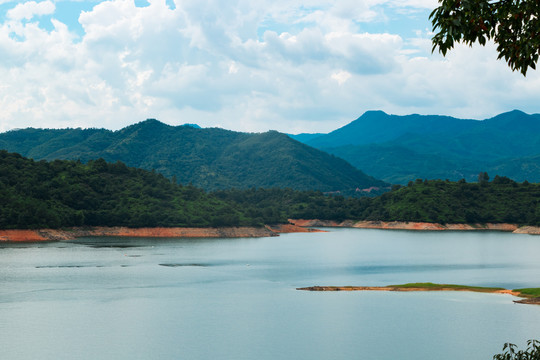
(395, 149)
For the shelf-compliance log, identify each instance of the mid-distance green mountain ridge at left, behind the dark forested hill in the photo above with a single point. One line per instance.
(207, 158)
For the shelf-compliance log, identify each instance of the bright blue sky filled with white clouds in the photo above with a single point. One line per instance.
(288, 65)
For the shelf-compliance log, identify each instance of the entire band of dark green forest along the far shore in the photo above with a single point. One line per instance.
(64, 193)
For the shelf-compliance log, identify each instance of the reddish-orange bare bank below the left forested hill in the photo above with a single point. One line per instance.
(35, 235)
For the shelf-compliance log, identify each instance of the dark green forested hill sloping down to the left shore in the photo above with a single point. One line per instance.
(66, 193)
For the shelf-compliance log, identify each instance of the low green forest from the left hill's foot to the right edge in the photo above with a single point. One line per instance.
(499, 201)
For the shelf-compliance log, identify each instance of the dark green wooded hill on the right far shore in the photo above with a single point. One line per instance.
(437, 201)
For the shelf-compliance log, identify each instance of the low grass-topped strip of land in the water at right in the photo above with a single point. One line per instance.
(529, 295)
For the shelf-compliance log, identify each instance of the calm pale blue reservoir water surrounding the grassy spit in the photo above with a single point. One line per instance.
(127, 298)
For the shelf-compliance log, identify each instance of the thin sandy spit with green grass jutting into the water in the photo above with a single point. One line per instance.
(525, 299)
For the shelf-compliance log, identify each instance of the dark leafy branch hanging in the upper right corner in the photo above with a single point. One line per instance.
(514, 26)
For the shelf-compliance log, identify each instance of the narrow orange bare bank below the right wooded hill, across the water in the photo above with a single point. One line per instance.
(417, 226)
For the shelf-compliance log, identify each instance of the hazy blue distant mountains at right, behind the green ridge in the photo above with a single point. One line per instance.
(398, 149)
